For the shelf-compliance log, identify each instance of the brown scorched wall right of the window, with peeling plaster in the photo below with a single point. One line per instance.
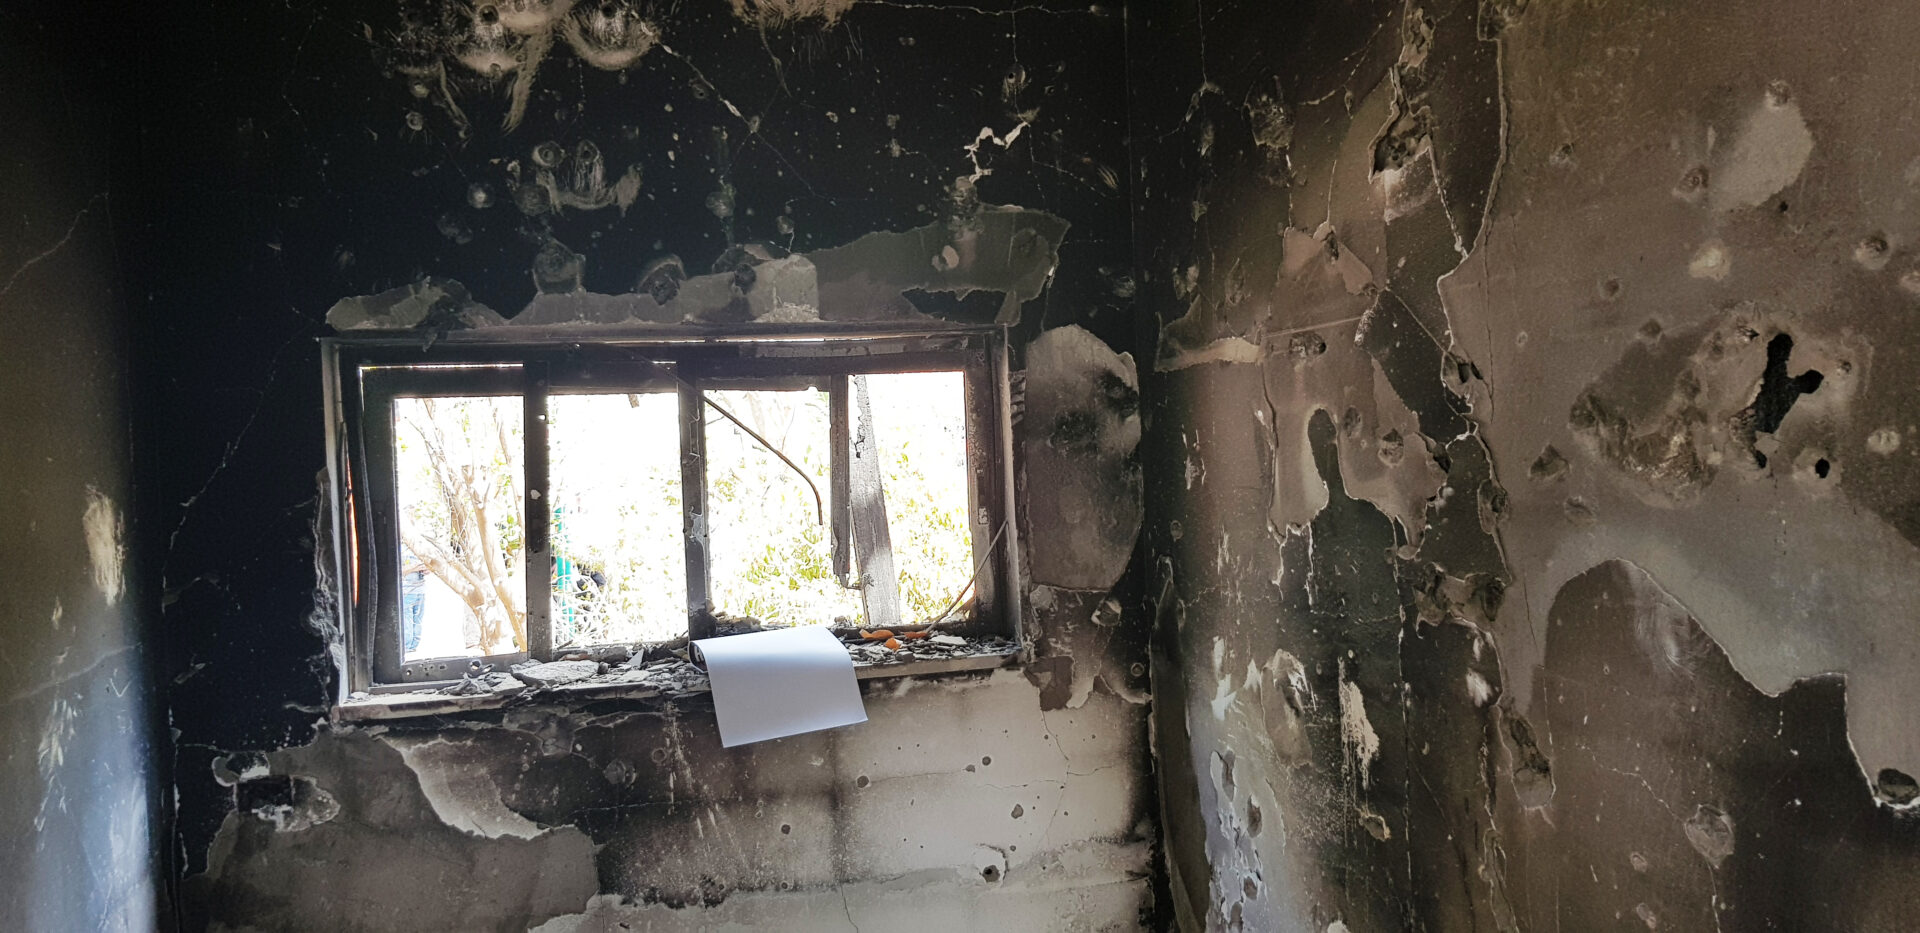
(1566, 354)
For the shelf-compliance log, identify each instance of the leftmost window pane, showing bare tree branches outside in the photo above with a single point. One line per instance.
(460, 487)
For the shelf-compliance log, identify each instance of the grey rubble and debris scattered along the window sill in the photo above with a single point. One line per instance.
(667, 675)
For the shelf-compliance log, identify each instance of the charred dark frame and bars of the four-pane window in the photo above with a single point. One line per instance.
(366, 373)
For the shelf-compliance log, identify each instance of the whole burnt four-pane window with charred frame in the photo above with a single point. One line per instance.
(523, 500)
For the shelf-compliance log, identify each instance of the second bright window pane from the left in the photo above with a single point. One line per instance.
(619, 563)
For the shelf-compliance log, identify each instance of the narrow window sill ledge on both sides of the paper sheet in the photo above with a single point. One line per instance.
(658, 679)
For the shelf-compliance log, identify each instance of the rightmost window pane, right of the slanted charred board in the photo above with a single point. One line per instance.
(921, 427)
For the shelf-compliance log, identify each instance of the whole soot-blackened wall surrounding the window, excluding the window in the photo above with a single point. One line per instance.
(531, 162)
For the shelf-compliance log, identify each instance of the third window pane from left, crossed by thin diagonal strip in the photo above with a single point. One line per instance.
(771, 556)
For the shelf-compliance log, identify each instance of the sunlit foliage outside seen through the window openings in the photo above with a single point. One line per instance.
(615, 490)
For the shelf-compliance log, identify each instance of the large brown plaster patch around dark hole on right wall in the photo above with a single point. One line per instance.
(1792, 565)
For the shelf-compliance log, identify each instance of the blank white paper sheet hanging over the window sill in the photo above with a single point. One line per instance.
(784, 682)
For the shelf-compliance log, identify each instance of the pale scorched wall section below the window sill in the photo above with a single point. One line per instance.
(961, 805)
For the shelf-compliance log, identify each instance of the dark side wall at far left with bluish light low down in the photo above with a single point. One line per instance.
(78, 782)
